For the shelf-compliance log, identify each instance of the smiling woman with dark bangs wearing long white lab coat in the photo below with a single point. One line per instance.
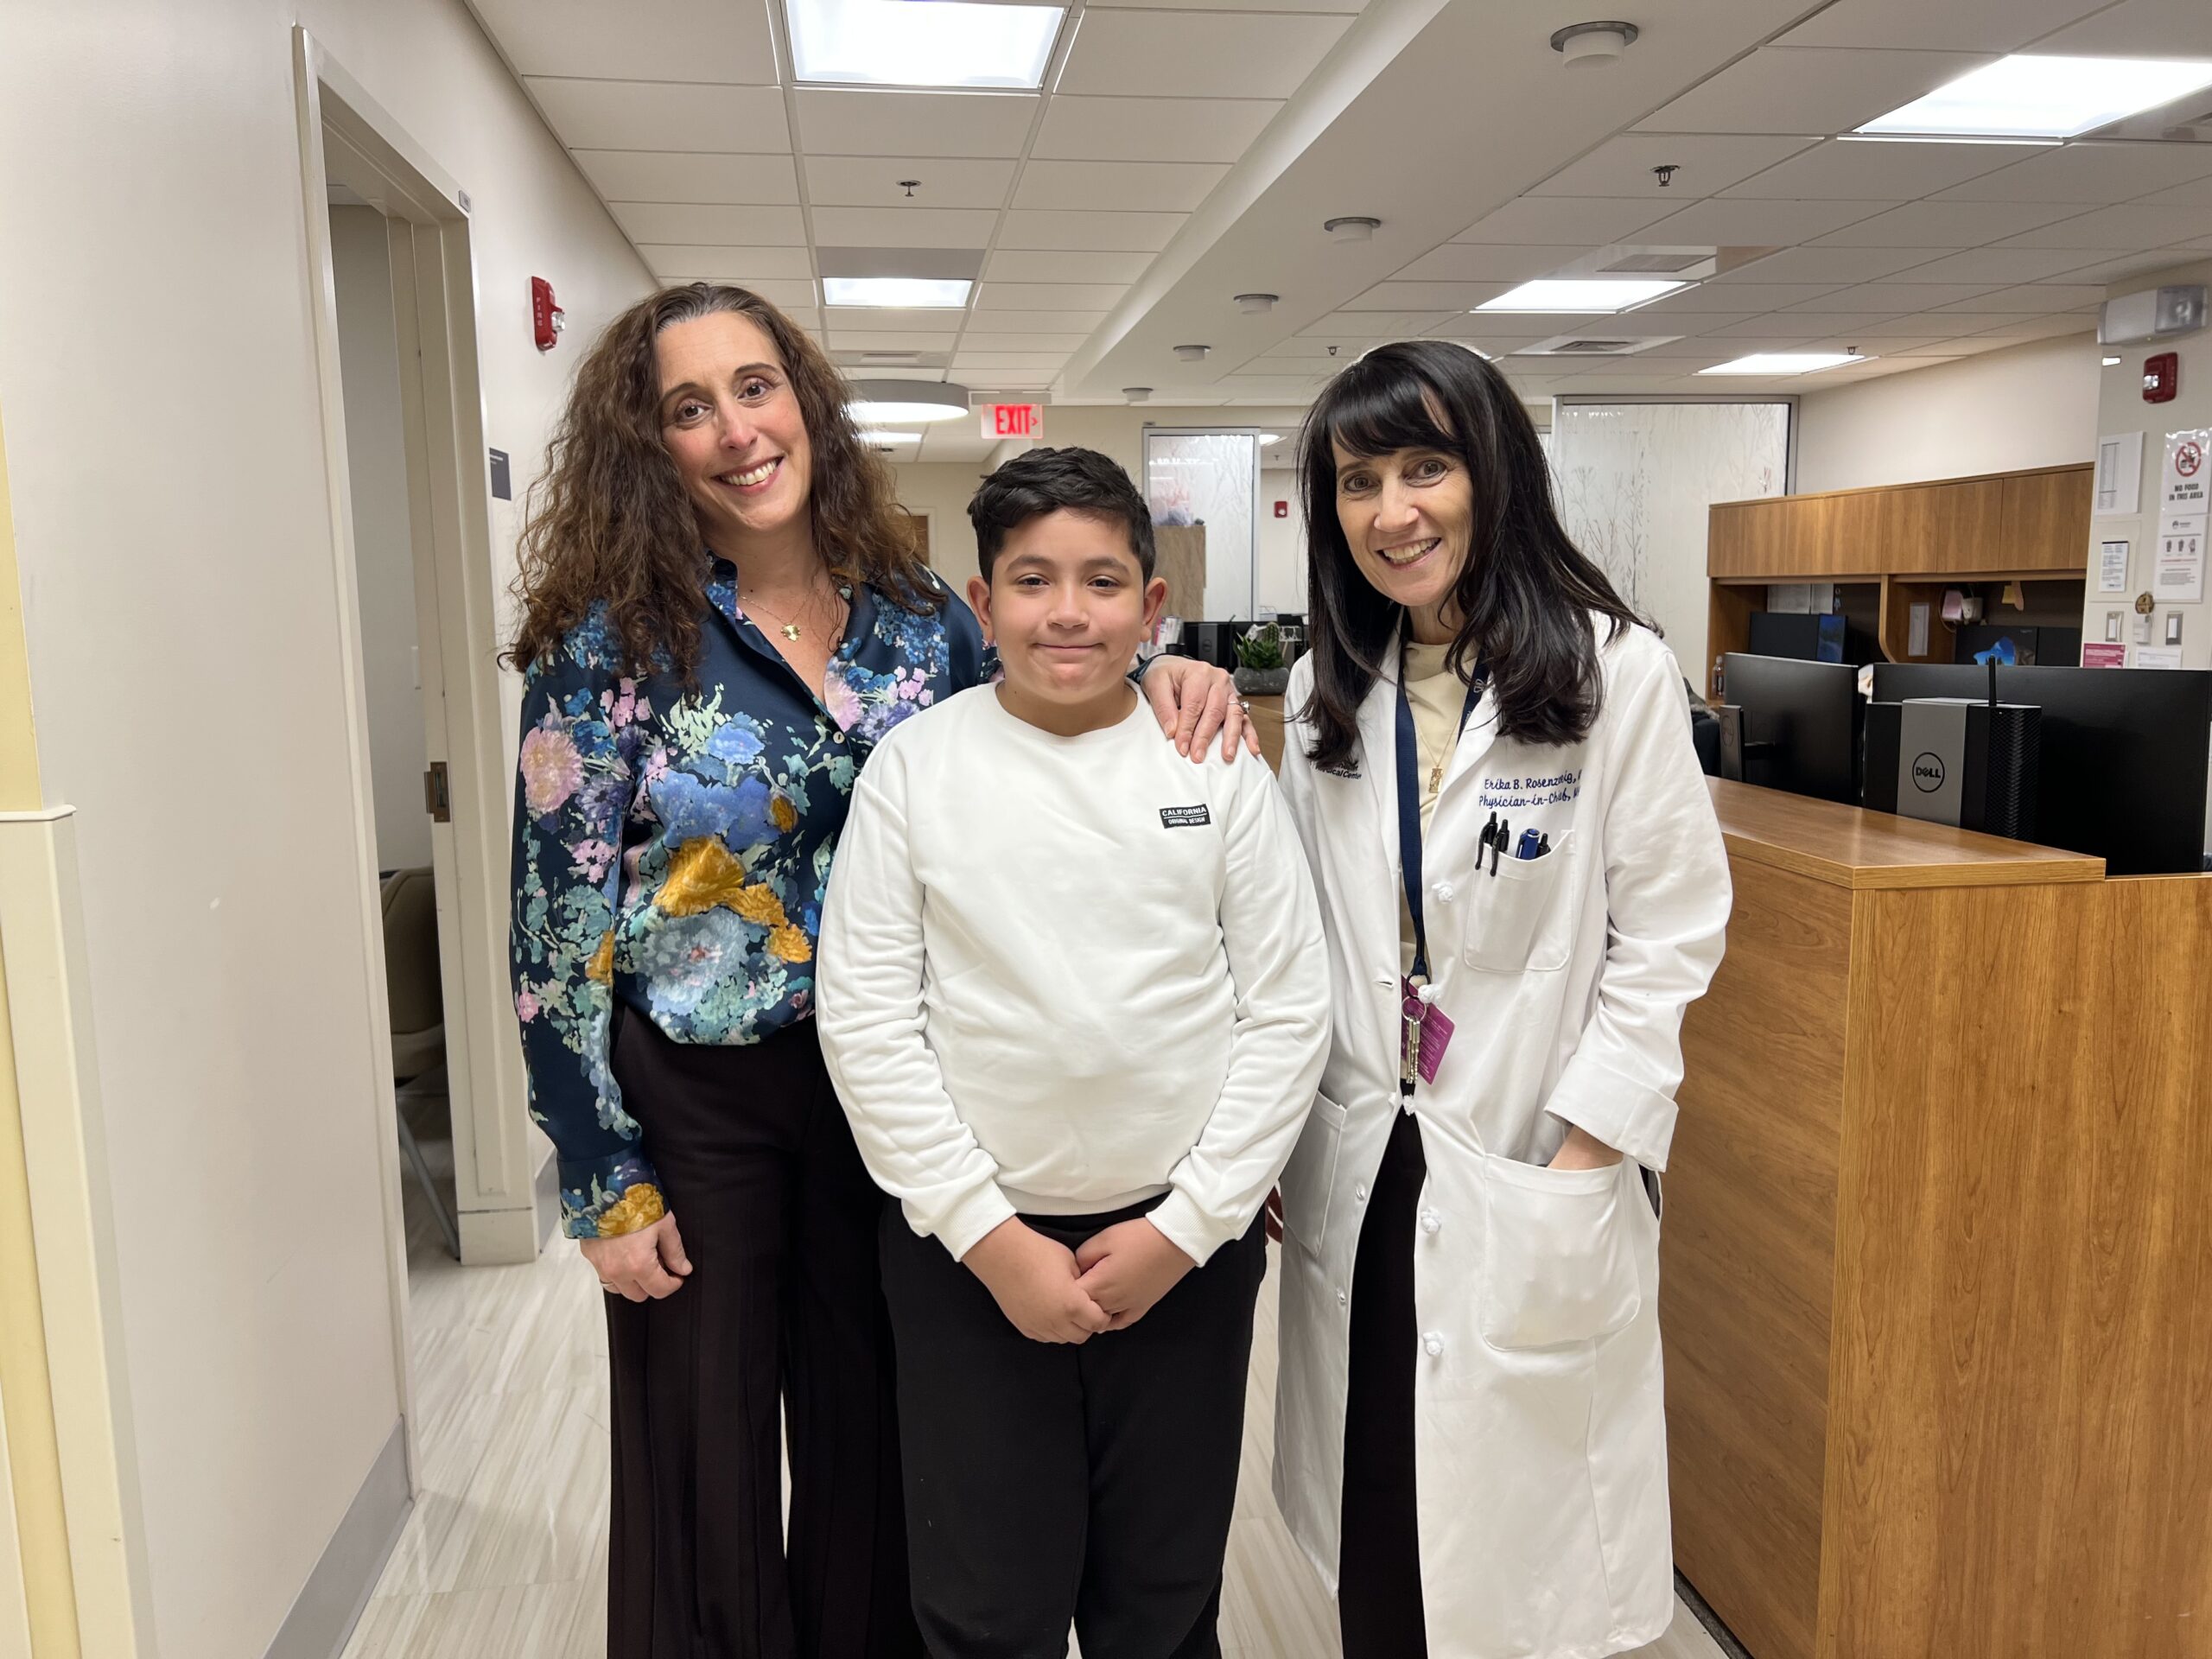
(1521, 855)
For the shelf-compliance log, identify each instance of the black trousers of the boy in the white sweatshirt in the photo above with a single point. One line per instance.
(1054, 1483)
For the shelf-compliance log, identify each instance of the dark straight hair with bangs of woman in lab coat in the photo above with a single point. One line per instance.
(1525, 594)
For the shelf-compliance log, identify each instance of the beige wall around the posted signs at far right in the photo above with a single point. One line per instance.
(2120, 410)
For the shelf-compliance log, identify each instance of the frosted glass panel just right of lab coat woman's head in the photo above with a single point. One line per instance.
(1636, 483)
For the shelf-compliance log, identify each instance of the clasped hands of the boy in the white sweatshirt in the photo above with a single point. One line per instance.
(1058, 1295)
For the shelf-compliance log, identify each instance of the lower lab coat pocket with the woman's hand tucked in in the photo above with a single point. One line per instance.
(1558, 1255)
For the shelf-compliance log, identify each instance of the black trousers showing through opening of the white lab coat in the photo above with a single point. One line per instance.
(1379, 1567)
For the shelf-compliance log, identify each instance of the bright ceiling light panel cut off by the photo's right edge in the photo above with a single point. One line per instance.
(2045, 98)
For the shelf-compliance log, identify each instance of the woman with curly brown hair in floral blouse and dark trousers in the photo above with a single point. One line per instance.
(722, 614)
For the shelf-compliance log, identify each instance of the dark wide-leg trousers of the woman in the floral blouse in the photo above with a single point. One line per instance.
(780, 1326)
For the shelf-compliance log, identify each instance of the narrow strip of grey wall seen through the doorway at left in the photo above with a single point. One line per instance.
(384, 550)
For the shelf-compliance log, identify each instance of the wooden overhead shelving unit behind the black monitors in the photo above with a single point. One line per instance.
(1908, 541)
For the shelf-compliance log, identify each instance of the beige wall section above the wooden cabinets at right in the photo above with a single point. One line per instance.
(2030, 406)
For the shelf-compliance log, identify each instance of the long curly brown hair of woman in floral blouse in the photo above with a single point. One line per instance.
(609, 523)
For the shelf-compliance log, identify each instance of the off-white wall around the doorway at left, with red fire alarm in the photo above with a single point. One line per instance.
(180, 612)
